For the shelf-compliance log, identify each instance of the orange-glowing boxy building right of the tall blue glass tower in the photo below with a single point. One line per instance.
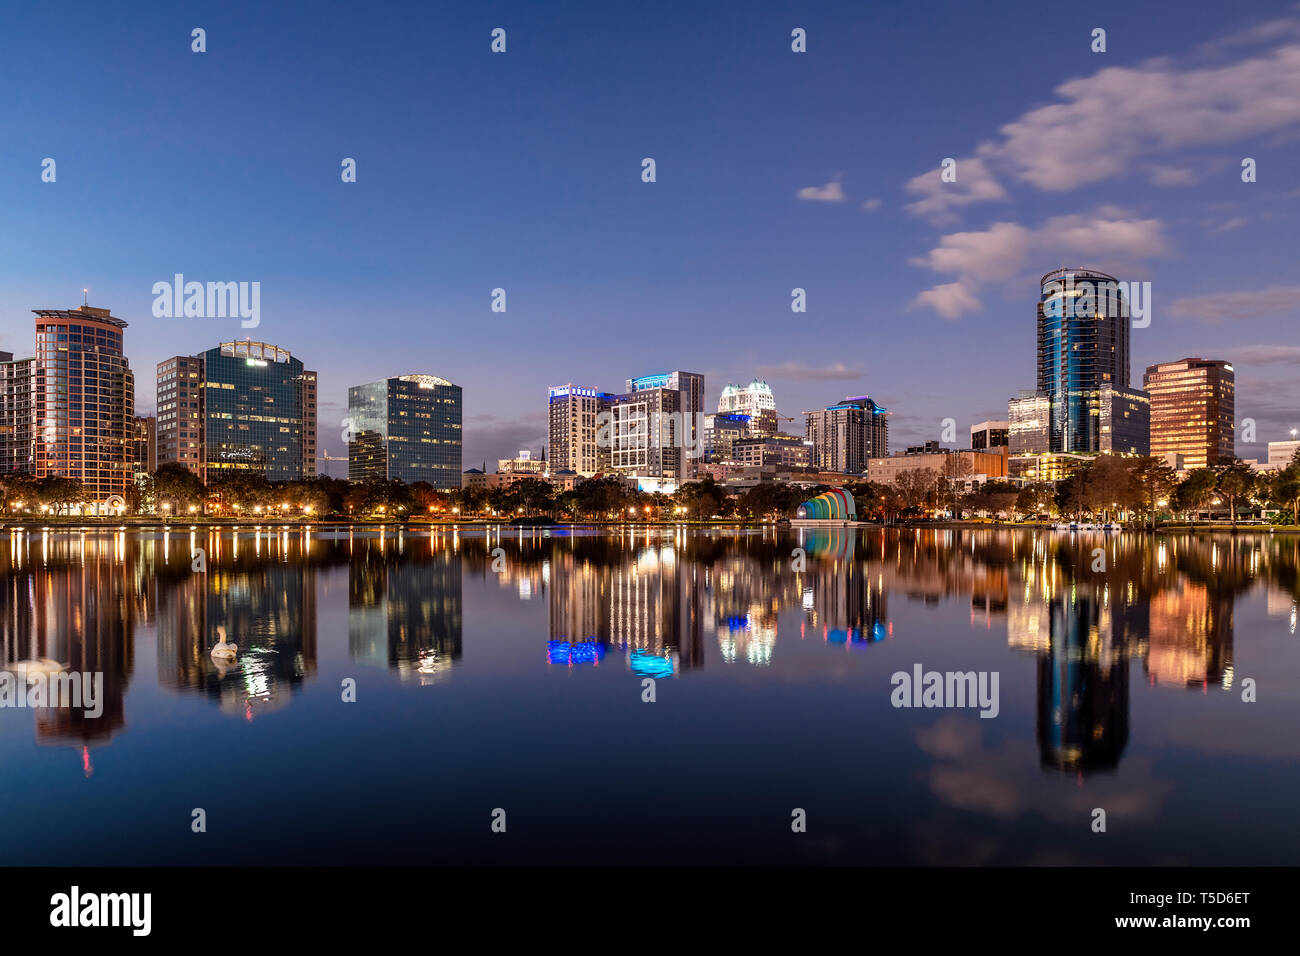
(1193, 408)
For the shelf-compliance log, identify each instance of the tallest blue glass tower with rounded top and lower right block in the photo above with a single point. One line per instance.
(1084, 366)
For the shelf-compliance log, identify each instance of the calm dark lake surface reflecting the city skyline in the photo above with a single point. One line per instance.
(513, 680)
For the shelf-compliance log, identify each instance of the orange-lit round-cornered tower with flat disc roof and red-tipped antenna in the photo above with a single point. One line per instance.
(84, 404)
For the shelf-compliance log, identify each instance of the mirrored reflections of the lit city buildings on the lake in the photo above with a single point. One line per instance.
(660, 603)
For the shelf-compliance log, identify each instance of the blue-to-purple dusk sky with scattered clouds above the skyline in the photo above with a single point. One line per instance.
(775, 170)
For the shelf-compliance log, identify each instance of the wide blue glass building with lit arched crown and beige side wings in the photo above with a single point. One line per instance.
(240, 406)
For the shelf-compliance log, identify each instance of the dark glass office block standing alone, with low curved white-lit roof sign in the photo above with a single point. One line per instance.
(406, 429)
